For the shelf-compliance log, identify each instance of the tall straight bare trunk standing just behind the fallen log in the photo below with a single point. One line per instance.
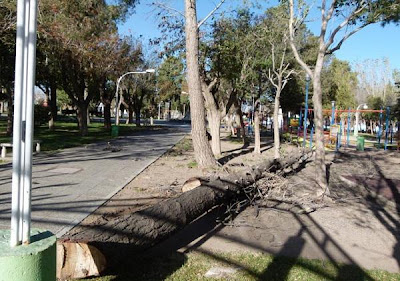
(203, 152)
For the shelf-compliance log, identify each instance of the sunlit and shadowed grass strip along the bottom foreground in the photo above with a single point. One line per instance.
(251, 267)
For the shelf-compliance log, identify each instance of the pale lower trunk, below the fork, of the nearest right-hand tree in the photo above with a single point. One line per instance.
(320, 167)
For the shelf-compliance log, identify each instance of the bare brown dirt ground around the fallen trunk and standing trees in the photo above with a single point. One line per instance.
(359, 224)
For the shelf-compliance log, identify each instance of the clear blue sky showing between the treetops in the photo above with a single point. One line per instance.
(373, 42)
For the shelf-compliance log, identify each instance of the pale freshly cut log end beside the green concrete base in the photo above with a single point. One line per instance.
(78, 260)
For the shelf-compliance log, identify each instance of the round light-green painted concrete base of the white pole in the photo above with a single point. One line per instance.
(33, 262)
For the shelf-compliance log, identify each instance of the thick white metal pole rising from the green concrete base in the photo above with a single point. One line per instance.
(25, 65)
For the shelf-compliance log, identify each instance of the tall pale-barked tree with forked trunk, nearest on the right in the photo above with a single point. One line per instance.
(352, 15)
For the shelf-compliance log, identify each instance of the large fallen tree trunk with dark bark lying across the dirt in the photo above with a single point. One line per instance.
(143, 229)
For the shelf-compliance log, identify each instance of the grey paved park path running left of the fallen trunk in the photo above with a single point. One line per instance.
(69, 185)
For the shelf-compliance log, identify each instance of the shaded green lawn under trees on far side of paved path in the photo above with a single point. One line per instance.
(66, 134)
